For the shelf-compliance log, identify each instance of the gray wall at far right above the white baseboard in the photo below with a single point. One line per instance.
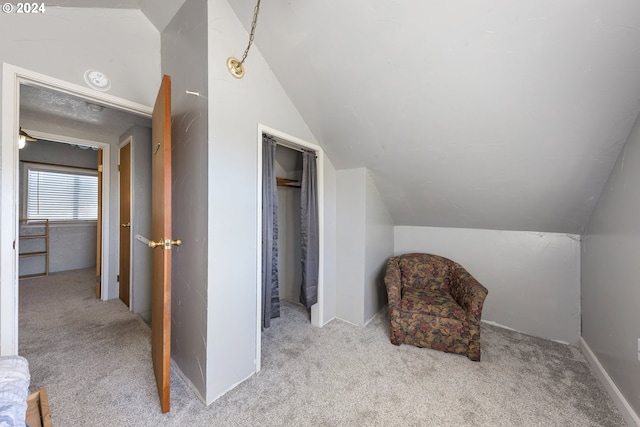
(611, 272)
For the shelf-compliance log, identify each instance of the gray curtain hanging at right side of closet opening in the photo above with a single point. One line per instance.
(309, 230)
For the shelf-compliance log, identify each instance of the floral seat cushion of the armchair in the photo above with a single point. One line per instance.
(423, 302)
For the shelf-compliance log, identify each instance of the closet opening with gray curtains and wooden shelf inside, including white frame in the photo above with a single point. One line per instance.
(290, 226)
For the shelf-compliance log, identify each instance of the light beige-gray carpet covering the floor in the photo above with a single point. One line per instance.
(94, 359)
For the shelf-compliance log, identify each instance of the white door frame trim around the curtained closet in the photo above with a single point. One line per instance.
(317, 310)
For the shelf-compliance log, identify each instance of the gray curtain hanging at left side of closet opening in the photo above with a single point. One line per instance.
(270, 288)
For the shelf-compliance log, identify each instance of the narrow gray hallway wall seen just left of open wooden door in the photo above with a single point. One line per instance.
(140, 219)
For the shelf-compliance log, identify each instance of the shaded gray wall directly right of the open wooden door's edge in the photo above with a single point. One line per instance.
(184, 58)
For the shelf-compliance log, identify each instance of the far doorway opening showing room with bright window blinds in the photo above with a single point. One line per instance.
(59, 204)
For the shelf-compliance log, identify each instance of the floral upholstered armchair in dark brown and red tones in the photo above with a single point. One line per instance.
(434, 302)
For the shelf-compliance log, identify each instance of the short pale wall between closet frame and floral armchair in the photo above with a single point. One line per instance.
(364, 243)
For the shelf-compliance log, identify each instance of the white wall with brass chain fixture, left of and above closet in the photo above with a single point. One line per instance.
(235, 109)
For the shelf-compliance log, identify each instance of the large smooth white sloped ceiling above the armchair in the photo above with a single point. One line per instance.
(493, 114)
